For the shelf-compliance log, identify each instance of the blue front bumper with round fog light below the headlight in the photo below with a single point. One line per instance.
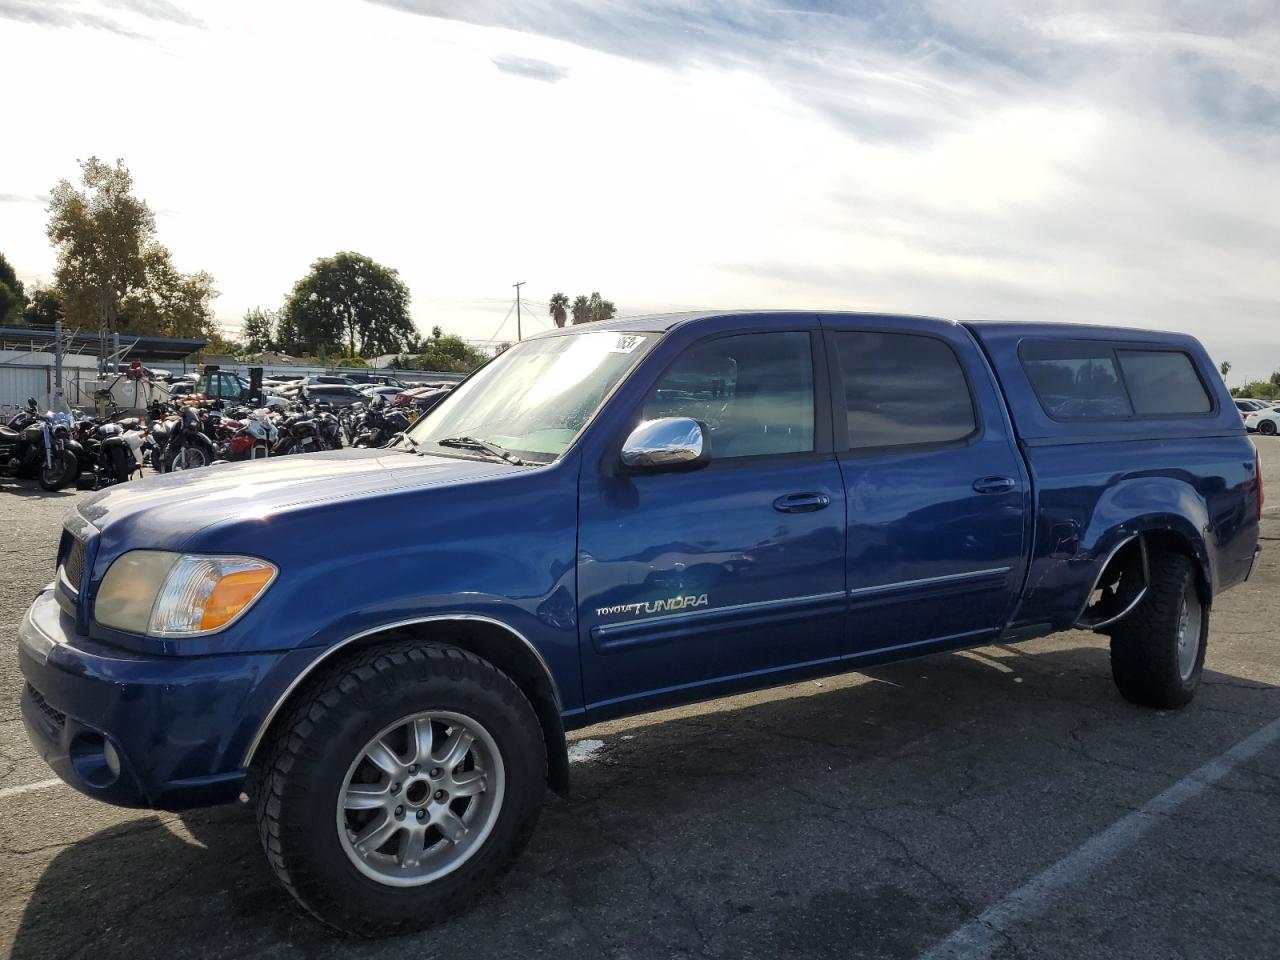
(166, 733)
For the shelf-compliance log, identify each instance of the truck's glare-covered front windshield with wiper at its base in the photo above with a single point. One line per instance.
(537, 397)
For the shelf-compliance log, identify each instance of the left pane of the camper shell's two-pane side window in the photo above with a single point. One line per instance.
(1076, 381)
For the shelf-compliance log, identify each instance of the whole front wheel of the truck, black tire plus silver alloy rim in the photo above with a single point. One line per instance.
(401, 788)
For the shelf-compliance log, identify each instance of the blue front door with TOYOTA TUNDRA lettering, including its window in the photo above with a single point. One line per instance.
(716, 578)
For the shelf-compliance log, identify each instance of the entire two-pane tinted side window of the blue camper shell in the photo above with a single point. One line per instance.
(1080, 381)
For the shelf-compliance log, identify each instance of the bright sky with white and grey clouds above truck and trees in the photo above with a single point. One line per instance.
(1086, 162)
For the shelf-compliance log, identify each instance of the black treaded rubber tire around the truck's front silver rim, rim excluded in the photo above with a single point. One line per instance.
(317, 743)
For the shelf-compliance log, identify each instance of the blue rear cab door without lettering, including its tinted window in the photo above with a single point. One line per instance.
(936, 492)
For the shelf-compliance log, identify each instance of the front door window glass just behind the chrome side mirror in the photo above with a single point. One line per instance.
(755, 392)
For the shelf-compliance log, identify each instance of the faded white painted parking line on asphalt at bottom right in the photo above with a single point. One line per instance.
(984, 936)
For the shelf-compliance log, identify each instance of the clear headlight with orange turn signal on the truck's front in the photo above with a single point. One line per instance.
(177, 595)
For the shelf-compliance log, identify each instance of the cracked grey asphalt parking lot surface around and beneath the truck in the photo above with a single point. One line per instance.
(866, 816)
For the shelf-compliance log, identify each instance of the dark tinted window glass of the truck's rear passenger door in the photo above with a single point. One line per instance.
(903, 390)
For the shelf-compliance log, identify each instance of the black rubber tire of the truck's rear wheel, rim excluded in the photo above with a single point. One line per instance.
(1145, 662)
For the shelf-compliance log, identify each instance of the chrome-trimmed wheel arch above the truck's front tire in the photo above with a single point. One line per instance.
(491, 639)
